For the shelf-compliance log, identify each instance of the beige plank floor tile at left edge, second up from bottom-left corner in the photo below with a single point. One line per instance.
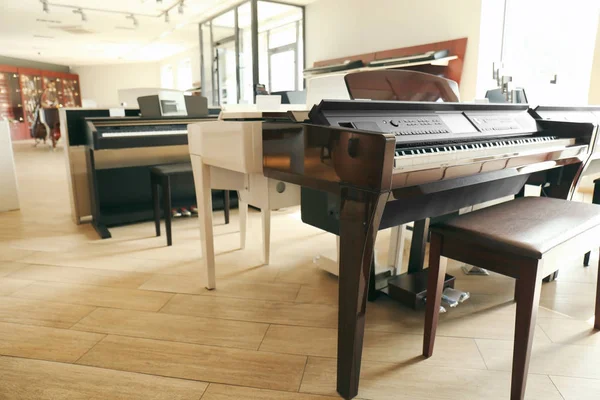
(45, 343)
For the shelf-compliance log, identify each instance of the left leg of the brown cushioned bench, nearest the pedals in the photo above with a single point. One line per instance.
(435, 285)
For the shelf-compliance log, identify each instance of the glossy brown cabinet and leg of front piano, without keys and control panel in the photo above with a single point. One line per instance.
(357, 198)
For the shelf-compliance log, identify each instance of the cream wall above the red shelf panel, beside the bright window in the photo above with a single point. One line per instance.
(338, 28)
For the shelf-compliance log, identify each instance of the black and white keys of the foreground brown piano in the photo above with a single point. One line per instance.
(464, 153)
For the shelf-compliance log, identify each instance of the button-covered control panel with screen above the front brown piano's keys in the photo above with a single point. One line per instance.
(414, 124)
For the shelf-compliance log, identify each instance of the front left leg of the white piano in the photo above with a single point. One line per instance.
(204, 198)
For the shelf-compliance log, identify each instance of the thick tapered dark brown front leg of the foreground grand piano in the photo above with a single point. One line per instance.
(360, 216)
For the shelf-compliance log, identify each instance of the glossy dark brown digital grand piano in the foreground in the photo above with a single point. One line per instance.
(370, 165)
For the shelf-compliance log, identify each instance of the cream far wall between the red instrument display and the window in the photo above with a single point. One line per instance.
(102, 82)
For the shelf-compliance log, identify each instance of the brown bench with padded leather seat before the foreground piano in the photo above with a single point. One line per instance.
(524, 239)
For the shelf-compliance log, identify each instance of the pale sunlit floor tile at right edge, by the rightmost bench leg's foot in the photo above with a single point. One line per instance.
(570, 331)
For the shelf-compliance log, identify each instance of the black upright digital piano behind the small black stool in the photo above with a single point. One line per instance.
(120, 152)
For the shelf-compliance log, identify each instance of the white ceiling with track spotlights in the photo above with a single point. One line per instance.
(61, 36)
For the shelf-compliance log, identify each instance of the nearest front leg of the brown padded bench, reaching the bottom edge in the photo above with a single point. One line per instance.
(529, 287)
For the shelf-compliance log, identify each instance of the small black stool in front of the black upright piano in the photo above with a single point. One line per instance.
(161, 176)
